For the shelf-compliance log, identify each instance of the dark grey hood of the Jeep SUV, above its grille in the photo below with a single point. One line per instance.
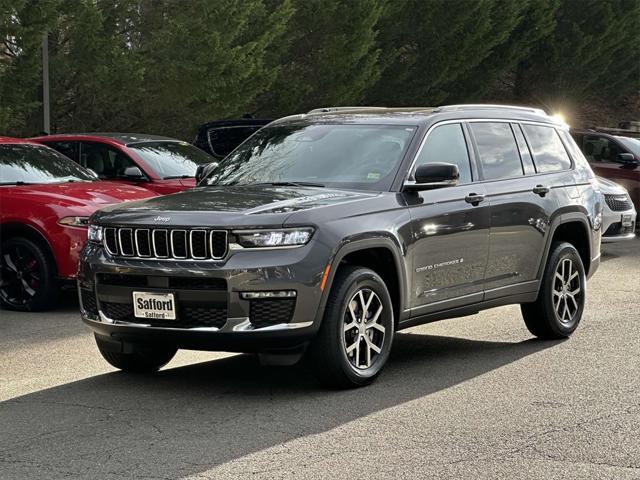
(231, 205)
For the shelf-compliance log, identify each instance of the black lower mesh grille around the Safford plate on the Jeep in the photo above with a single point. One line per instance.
(188, 316)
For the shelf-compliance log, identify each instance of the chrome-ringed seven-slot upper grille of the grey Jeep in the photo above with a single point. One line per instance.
(194, 244)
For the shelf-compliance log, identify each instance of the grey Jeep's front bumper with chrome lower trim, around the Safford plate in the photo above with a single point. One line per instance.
(211, 311)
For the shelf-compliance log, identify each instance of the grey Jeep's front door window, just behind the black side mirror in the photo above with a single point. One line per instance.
(446, 144)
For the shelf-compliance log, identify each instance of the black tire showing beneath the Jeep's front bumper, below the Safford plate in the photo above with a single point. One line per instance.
(148, 359)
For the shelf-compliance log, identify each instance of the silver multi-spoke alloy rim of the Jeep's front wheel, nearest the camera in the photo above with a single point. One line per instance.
(364, 335)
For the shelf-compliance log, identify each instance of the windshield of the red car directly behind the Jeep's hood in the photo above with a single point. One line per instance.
(172, 159)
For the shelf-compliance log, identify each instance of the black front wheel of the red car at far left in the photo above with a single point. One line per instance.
(27, 276)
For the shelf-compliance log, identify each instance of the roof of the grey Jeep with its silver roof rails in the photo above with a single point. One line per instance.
(419, 115)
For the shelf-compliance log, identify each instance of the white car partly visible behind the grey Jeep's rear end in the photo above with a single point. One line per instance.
(619, 216)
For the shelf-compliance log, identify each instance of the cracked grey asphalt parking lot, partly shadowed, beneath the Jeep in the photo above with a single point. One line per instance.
(474, 397)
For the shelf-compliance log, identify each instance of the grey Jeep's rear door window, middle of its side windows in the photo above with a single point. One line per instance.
(497, 150)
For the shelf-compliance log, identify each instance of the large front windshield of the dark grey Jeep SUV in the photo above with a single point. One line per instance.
(350, 156)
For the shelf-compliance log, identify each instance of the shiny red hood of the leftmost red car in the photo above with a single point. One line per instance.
(86, 195)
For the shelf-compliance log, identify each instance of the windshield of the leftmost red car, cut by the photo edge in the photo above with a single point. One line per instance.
(26, 163)
